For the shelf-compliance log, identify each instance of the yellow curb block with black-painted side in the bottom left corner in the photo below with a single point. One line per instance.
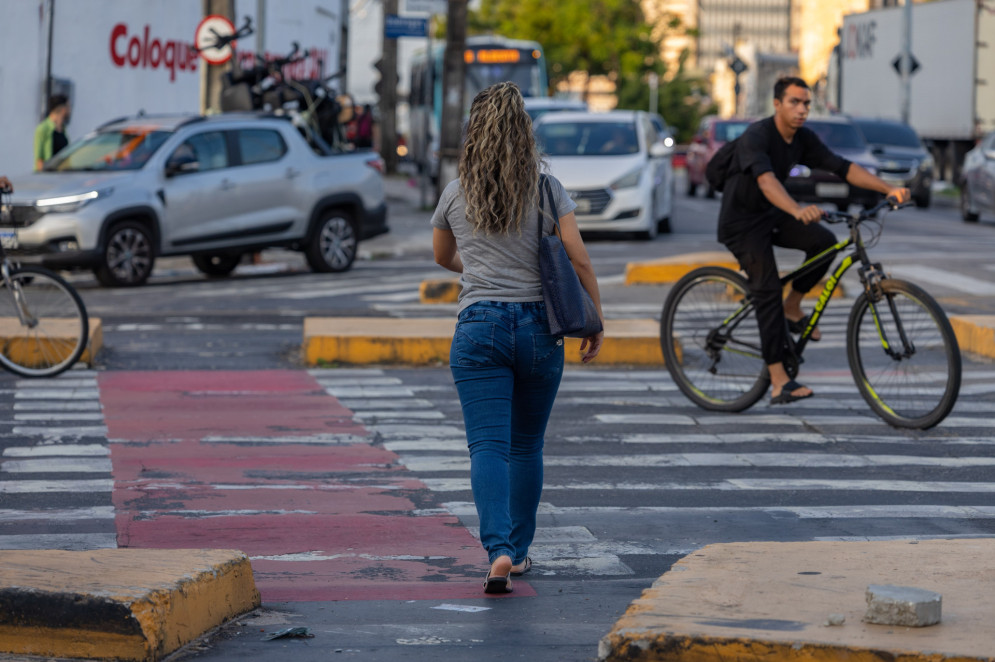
(125, 604)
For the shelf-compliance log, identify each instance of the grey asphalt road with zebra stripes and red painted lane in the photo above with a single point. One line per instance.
(636, 476)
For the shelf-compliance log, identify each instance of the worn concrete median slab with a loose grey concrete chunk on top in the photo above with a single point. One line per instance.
(771, 601)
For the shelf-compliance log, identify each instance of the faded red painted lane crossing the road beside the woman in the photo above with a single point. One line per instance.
(357, 538)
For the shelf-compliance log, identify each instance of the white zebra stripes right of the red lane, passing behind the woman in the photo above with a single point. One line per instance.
(616, 471)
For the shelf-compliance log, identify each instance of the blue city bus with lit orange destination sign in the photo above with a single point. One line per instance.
(489, 59)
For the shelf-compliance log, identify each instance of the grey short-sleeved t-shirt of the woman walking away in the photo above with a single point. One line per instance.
(498, 267)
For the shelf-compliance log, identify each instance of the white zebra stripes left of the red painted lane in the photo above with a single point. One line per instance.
(55, 467)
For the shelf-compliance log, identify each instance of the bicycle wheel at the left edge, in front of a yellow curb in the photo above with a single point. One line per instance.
(43, 323)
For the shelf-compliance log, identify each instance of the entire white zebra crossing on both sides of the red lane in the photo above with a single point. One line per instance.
(633, 471)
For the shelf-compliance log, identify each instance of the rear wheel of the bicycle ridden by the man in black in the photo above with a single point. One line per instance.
(711, 341)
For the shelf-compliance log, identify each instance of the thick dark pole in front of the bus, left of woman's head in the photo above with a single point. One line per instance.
(453, 78)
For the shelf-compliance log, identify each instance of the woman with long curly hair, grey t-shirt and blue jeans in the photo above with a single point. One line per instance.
(505, 363)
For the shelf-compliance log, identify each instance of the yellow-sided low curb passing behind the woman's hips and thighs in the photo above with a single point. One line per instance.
(424, 341)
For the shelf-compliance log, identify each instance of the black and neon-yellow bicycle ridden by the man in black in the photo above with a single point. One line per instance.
(899, 342)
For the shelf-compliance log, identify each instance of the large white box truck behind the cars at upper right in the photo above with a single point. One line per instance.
(952, 91)
